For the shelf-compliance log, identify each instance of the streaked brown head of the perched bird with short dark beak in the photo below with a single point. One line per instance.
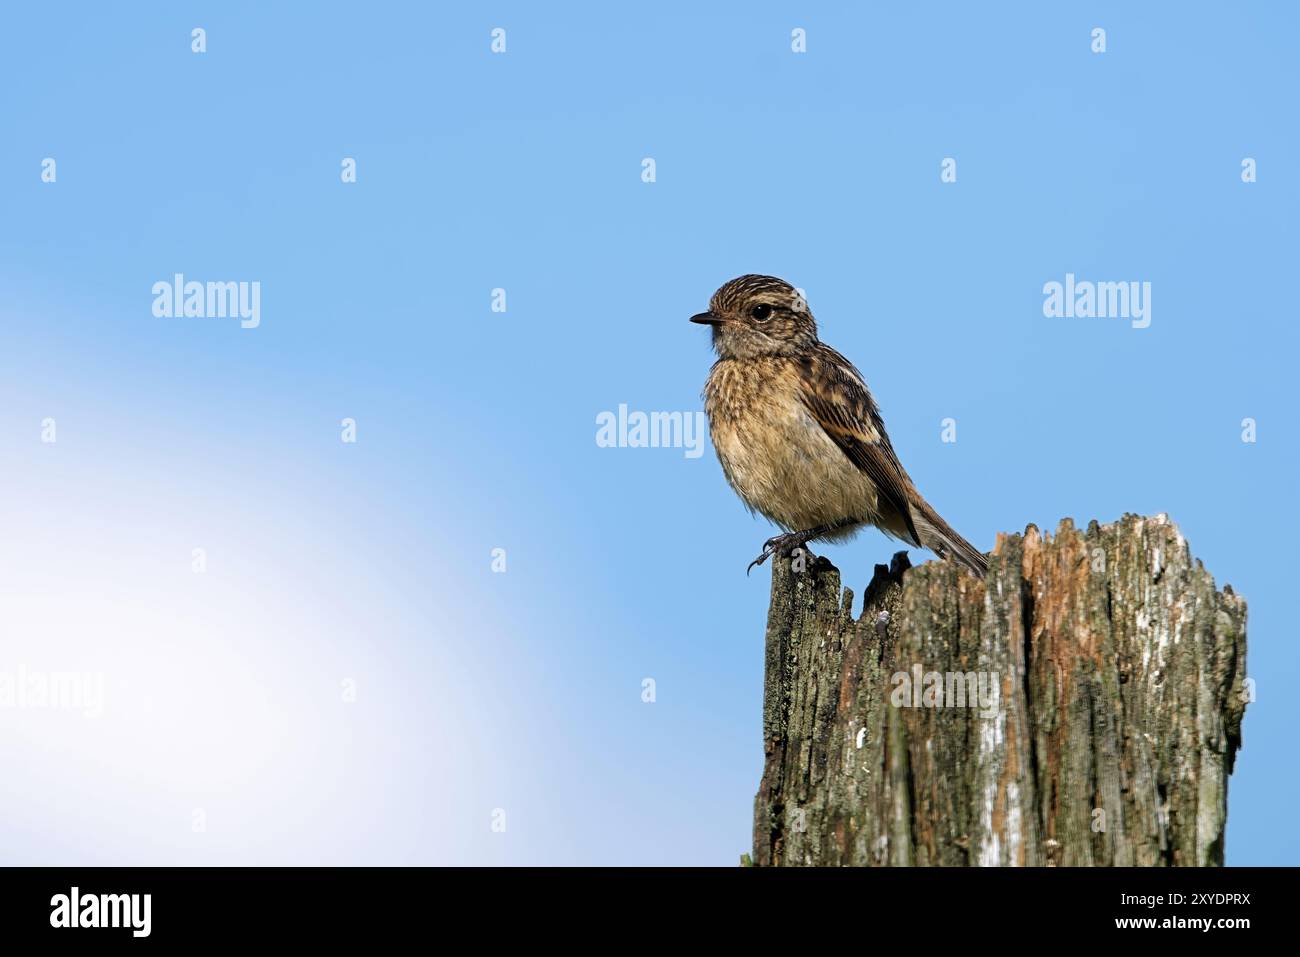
(759, 315)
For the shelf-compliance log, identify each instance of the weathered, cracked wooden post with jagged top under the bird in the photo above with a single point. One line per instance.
(1120, 677)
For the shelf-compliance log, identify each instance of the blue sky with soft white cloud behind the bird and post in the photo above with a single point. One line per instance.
(371, 562)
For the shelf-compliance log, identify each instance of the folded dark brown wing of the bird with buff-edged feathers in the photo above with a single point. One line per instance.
(837, 396)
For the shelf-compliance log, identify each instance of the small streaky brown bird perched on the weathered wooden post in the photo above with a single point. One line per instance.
(799, 435)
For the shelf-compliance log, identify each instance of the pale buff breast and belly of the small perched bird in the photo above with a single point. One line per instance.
(777, 457)
